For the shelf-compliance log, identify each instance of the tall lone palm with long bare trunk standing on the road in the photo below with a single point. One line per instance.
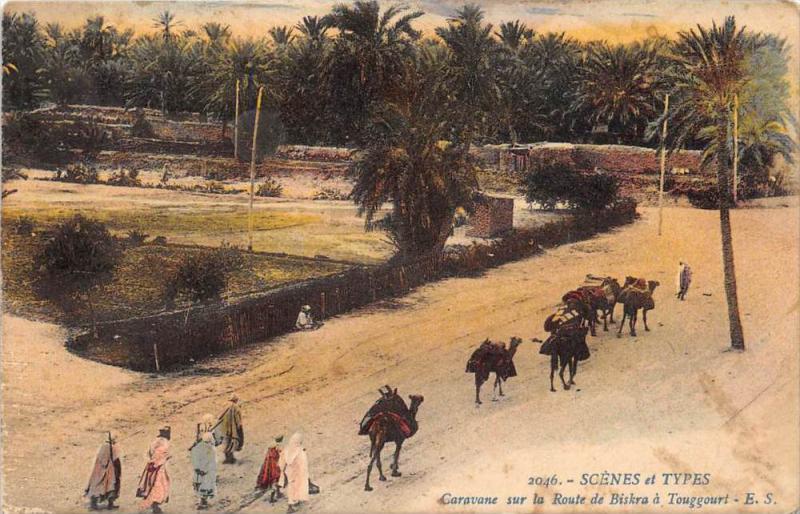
(710, 69)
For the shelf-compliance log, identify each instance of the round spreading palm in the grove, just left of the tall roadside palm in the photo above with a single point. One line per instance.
(620, 88)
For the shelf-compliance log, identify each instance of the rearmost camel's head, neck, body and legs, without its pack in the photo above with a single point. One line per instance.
(389, 427)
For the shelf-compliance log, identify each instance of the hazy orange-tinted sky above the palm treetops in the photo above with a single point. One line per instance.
(615, 20)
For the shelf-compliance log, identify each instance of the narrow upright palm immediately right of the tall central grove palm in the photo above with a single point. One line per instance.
(470, 72)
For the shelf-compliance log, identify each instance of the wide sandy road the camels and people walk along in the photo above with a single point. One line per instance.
(666, 401)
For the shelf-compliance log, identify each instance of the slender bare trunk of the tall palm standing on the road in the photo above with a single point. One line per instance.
(724, 190)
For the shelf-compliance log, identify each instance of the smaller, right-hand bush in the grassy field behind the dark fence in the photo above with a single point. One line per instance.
(200, 278)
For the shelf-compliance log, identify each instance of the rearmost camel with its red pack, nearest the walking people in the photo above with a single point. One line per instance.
(390, 425)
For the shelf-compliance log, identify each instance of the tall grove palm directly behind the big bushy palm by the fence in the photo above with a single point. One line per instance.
(368, 61)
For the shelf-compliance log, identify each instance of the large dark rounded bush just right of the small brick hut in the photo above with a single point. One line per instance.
(550, 183)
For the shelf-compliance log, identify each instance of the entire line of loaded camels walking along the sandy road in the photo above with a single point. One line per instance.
(391, 420)
